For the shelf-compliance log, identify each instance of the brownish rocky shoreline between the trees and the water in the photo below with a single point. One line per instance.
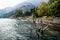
(54, 24)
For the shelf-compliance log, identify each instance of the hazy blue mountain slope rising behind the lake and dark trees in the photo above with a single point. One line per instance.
(5, 13)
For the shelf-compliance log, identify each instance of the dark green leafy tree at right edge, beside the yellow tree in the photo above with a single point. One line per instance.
(54, 9)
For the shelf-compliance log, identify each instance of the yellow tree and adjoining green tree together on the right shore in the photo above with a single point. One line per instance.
(51, 9)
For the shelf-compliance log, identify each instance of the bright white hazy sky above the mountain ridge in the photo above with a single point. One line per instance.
(11, 3)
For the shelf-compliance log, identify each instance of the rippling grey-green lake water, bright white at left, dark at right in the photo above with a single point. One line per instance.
(14, 29)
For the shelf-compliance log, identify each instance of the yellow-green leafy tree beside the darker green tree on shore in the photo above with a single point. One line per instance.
(42, 10)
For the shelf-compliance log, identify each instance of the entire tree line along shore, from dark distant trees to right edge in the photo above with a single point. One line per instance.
(50, 8)
